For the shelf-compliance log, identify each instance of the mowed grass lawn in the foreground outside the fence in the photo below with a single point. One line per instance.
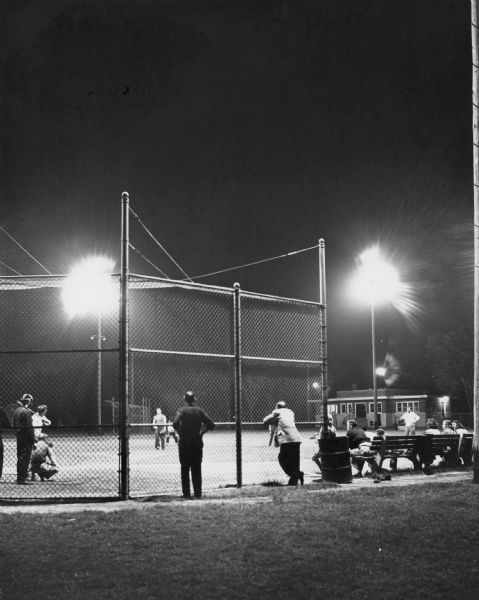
(411, 542)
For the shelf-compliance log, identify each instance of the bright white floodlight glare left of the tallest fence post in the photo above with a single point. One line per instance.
(89, 288)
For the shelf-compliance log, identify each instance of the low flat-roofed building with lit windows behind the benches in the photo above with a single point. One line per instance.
(392, 404)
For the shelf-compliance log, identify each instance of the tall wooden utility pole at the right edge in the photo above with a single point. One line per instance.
(475, 140)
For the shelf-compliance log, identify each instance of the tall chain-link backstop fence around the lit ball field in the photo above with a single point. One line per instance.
(238, 351)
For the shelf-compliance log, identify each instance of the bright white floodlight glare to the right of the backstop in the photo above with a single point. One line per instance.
(376, 281)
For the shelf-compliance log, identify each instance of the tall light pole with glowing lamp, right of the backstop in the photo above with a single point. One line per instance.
(376, 282)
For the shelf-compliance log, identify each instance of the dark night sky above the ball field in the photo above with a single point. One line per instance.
(242, 131)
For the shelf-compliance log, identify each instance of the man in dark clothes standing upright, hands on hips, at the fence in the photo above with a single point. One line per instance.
(191, 422)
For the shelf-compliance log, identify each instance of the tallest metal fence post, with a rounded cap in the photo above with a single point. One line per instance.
(124, 350)
